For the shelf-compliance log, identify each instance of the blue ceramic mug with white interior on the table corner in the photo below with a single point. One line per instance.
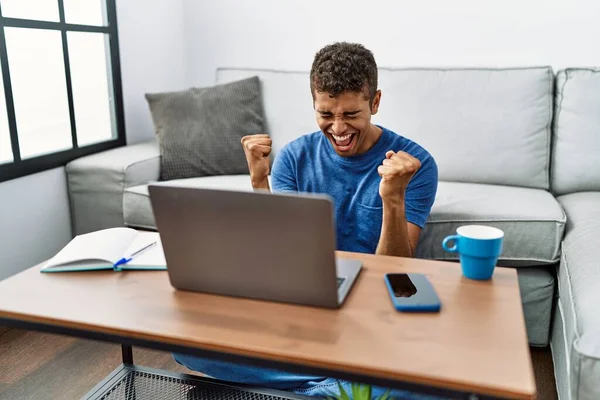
(479, 247)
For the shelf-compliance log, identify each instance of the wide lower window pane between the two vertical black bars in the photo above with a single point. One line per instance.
(37, 75)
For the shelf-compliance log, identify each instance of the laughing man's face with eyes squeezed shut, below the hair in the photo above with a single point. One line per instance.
(346, 121)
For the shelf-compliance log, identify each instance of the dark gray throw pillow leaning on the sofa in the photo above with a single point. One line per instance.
(200, 130)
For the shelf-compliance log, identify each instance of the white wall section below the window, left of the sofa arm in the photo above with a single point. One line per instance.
(35, 220)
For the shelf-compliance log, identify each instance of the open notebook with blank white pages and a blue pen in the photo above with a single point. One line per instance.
(108, 249)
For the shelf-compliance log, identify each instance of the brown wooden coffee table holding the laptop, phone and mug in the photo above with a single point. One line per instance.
(476, 344)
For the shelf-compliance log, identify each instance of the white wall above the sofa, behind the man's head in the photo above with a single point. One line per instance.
(286, 34)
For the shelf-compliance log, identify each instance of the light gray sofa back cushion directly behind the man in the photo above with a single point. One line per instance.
(481, 125)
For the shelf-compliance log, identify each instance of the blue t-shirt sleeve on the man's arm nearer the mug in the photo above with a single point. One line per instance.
(420, 193)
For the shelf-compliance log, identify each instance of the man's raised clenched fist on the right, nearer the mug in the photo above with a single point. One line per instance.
(396, 172)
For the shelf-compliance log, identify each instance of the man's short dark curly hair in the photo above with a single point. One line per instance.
(344, 67)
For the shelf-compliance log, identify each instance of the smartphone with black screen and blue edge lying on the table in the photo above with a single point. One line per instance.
(412, 293)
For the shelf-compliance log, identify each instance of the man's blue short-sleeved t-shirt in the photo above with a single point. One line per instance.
(310, 164)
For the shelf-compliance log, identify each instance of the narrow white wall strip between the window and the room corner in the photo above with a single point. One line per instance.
(152, 57)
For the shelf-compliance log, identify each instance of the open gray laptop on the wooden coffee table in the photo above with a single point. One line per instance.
(277, 247)
